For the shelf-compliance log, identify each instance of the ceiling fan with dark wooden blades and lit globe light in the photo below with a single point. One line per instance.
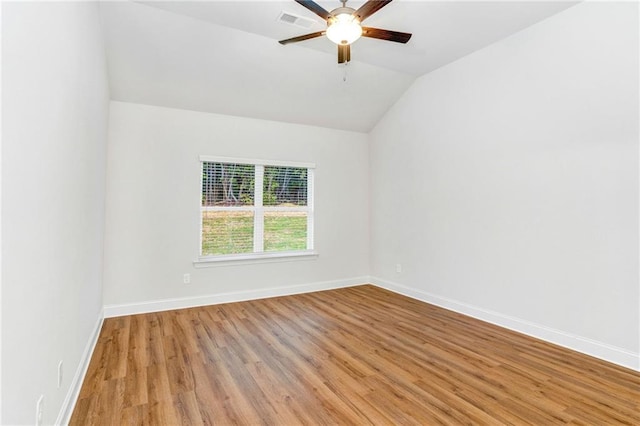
(344, 26)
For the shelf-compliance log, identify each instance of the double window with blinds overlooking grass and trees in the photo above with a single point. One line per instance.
(254, 209)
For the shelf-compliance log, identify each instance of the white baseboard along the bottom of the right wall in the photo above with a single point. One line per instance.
(577, 343)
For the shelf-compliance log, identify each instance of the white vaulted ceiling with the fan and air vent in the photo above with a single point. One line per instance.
(223, 56)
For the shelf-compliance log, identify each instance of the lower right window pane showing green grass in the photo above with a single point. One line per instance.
(284, 231)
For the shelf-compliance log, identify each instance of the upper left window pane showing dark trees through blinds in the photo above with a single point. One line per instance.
(225, 184)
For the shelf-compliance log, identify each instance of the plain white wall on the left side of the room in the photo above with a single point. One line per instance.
(54, 124)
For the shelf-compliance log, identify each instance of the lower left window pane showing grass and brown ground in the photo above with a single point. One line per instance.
(225, 232)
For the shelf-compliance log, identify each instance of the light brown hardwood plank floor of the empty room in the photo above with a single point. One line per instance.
(359, 355)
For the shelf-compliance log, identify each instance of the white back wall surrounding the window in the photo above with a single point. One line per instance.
(153, 195)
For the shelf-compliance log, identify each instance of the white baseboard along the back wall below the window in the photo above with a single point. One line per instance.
(214, 299)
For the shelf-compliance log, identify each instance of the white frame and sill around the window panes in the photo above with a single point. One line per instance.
(259, 255)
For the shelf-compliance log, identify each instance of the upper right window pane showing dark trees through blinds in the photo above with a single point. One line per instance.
(285, 186)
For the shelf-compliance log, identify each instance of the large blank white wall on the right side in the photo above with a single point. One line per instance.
(506, 183)
